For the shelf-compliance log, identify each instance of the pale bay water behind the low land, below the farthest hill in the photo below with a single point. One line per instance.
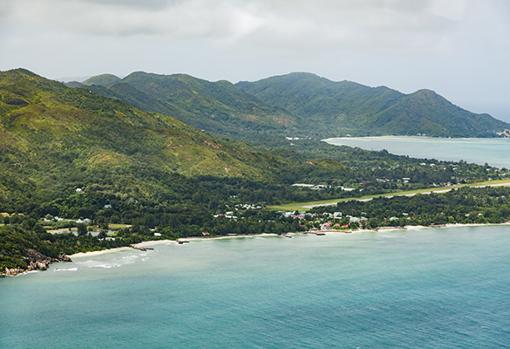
(494, 151)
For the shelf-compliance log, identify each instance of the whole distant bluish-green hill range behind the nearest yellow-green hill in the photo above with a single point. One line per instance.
(296, 104)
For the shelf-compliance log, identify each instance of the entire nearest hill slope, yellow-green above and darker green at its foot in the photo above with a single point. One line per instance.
(55, 139)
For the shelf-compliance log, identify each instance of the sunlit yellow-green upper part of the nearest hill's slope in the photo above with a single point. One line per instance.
(45, 115)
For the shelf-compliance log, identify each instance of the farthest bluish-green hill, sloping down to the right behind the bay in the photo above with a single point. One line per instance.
(330, 108)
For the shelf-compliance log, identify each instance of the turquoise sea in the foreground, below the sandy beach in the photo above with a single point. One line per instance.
(429, 288)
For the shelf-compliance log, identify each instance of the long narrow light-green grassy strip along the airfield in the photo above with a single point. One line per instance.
(305, 206)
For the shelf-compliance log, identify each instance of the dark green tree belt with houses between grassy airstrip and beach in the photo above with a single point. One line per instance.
(461, 206)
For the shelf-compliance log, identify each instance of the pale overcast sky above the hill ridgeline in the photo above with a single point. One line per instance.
(459, 48)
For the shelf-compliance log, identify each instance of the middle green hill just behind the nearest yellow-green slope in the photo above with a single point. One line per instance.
(217, 107)
